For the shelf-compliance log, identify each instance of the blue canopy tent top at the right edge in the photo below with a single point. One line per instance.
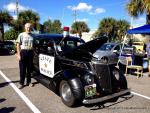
(140, 30)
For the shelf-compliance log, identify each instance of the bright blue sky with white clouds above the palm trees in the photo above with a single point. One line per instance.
(67, 11)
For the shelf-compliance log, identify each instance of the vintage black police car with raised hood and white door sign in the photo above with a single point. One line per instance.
(66, 65)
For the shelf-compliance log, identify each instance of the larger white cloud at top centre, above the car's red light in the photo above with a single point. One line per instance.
(81, 7)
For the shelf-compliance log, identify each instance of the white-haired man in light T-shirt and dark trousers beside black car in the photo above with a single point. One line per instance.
(24, 45)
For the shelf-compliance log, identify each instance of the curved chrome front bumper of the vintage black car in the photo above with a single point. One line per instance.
(101, 99)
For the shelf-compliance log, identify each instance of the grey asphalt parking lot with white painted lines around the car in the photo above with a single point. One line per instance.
(39, 99)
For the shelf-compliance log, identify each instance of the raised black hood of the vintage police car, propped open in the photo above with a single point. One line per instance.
(86, 50)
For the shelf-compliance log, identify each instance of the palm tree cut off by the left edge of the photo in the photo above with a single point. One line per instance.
(5, 18)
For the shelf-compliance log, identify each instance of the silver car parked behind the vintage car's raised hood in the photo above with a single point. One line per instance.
(108, 53)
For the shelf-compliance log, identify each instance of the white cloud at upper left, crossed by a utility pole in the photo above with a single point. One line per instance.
(11, 7)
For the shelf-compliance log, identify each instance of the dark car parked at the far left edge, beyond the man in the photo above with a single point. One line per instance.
(7, 48)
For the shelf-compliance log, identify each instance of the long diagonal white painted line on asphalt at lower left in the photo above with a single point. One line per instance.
(24, 98)
